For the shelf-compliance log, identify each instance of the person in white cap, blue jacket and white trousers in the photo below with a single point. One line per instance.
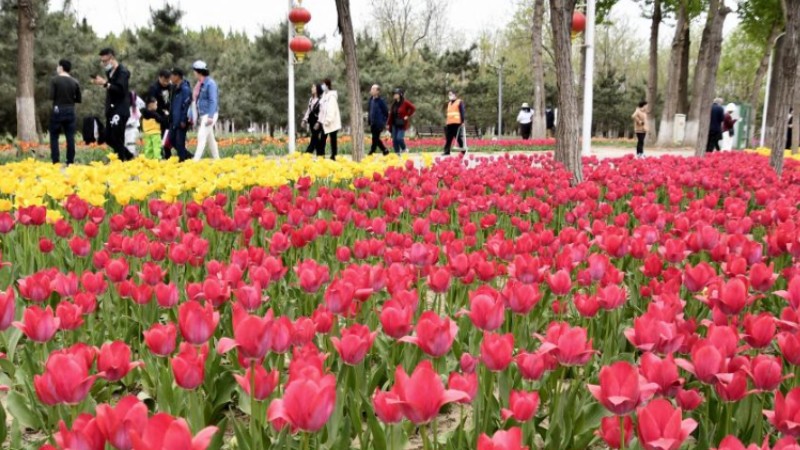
(206, 105)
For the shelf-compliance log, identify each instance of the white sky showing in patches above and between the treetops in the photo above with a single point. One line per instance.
(471, 17)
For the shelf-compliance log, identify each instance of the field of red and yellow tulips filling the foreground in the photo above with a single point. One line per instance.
(478, 303)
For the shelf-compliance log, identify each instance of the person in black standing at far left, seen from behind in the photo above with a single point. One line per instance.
(65, 93)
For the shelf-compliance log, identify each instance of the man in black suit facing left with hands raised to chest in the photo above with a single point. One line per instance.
(118, 102)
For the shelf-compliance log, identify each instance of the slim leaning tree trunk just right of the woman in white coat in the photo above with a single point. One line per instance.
(351, 66)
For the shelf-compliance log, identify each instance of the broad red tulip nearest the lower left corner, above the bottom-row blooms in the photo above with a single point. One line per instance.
(65, 380)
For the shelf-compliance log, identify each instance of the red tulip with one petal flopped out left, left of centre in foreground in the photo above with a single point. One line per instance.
(252, 335)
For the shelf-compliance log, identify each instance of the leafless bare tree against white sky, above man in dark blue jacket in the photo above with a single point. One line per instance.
(405, 26)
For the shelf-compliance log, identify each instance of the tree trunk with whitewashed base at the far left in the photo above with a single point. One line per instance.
(26, 105)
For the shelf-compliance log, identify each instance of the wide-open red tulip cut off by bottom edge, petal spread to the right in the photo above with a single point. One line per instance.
(164, 432)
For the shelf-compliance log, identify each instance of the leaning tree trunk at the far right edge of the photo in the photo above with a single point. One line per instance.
(786, 70)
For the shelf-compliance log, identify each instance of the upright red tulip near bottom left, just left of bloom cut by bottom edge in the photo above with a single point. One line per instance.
(119, 422)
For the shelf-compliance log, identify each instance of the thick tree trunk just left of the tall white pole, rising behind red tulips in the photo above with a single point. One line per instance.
(568, 151)
